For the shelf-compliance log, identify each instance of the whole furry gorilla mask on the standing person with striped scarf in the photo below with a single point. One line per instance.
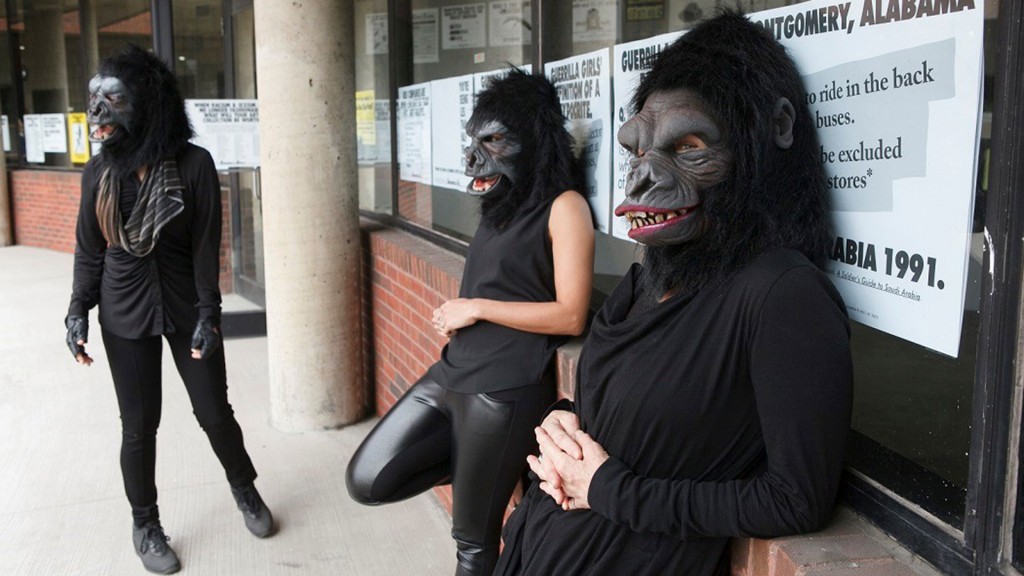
(137, 111)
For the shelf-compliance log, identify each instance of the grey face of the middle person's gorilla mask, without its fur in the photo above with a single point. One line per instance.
(491, 158)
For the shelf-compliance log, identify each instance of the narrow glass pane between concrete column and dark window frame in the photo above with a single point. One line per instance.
(373, 105)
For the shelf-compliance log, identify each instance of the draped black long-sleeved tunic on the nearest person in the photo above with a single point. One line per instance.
(724, 417)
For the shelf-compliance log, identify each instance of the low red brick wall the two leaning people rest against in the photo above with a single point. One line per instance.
(408, 277)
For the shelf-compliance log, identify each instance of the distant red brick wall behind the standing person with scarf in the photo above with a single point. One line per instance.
(45, 210)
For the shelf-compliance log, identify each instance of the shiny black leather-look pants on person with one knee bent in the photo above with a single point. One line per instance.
(479, 442)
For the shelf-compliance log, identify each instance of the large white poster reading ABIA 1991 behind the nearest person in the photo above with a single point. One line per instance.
(894, 90)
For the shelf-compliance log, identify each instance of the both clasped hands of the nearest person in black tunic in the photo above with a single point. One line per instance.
(569, 460)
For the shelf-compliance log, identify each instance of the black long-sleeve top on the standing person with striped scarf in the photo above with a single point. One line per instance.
(174, 286)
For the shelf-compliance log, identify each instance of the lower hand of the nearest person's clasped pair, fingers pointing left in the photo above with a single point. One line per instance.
(575, 474)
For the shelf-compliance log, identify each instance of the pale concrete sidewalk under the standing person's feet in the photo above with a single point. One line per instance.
(63, 509)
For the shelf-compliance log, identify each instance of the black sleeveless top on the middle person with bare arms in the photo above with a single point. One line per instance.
(514, 265)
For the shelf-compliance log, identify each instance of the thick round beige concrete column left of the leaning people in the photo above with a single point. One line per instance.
(306, 85)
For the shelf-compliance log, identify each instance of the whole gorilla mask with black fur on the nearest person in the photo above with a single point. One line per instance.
(724, 166)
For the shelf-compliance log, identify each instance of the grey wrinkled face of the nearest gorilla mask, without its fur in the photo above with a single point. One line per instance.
(677, 154)
